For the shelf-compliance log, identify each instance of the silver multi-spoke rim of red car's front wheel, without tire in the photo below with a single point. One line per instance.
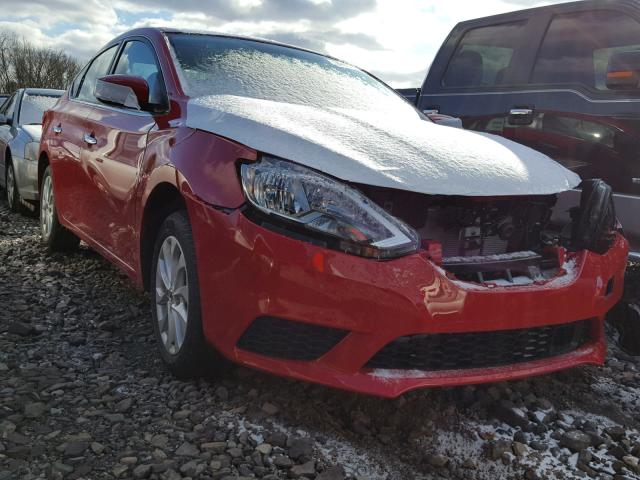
(172, 295)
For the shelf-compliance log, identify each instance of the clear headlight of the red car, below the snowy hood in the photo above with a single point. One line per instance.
(309, 203)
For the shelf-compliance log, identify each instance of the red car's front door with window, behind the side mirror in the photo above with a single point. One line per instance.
(115, 143)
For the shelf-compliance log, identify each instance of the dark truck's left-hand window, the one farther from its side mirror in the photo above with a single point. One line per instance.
(483, 56)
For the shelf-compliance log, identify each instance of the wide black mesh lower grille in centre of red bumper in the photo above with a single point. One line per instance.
(457, 351)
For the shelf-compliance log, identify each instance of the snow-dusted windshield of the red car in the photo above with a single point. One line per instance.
(215, 65)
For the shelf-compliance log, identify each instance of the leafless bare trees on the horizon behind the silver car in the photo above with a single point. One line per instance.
(23, 64)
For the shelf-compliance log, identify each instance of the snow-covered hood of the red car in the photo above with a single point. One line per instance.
(395, 149)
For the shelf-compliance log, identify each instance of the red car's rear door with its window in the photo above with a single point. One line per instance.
(64, 134)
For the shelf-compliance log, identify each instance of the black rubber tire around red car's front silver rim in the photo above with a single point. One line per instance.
(188, 360)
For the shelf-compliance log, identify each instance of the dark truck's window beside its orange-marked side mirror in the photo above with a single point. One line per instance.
(577, 47)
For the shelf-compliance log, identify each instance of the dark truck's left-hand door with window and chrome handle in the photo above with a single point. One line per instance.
(476, 73)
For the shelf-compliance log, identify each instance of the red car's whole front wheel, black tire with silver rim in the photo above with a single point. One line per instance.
(176, 314)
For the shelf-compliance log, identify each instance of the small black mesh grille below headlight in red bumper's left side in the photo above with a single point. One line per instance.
(275, 337)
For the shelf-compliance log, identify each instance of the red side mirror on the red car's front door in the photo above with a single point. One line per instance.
(123, 90)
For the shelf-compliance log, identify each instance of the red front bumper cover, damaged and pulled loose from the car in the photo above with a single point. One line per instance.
(386, 327)
